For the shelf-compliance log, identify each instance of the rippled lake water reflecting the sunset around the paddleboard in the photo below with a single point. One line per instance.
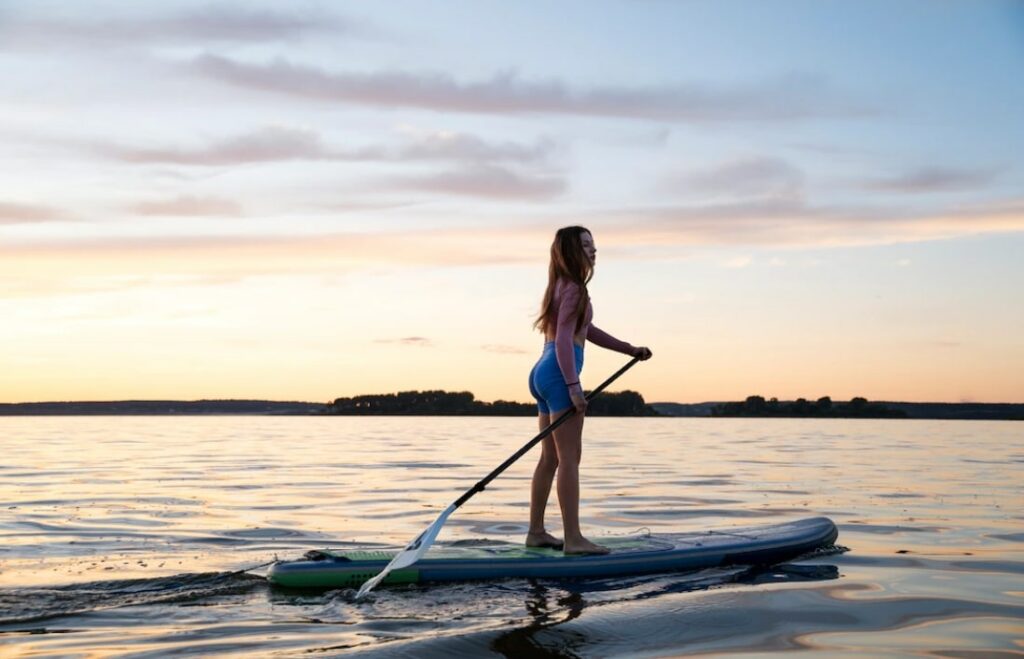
(126, 537)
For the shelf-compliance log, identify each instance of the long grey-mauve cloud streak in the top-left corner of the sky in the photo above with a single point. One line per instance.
(219, 24)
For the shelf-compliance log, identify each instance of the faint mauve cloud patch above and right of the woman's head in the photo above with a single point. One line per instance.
(756, 178)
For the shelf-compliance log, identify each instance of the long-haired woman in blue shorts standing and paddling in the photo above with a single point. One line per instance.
(566, 322)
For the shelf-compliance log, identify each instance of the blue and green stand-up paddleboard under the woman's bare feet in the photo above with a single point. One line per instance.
(632, 555)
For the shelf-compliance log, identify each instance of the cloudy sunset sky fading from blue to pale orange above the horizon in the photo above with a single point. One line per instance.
(313, 200)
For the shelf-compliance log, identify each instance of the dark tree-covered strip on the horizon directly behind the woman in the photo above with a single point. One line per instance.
(458, 404)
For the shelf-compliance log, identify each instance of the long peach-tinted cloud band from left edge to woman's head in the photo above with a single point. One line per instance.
(52, 267)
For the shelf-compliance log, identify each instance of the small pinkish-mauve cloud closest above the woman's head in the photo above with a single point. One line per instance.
(486, 182)
